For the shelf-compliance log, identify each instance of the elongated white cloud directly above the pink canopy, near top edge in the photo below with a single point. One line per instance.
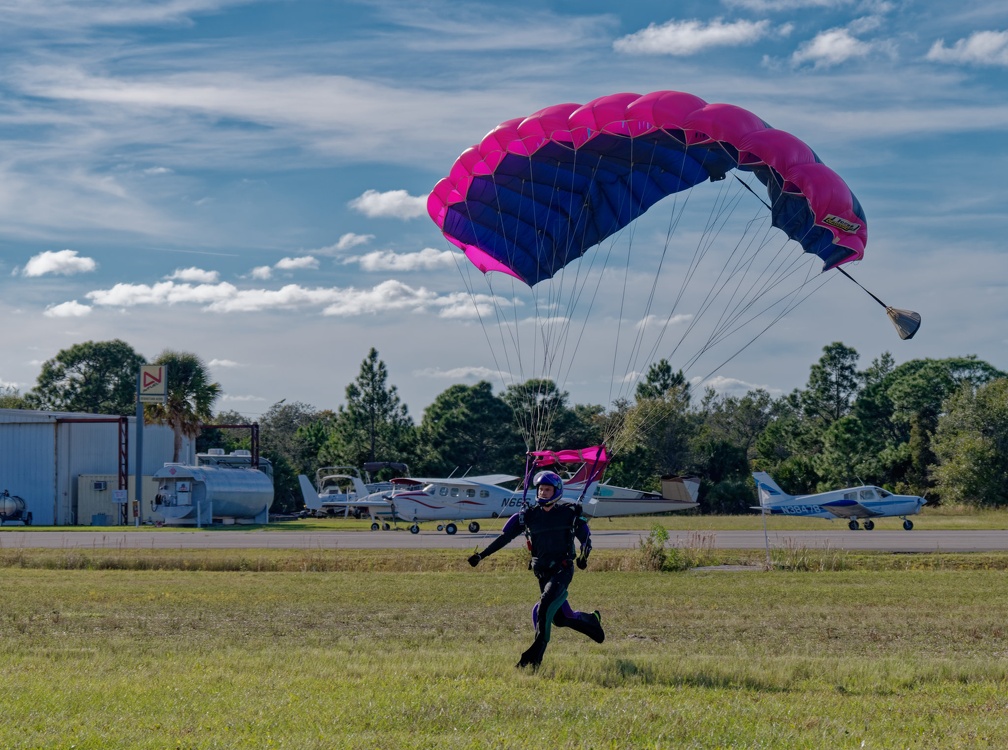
(690, 38)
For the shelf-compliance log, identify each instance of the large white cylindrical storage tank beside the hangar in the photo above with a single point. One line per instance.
(195, 495)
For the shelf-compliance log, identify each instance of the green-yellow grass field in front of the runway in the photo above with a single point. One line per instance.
(341, 650)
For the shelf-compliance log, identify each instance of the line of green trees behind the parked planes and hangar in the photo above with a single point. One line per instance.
(937, 428)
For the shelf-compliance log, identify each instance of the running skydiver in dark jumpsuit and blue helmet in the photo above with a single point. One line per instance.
(551, 529)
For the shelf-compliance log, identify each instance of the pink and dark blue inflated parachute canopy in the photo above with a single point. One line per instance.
(537, 193)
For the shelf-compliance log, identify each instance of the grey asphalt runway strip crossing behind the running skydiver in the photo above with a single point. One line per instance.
(917, 541)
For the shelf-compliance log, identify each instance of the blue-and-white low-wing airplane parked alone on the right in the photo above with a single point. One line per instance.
(866, 503)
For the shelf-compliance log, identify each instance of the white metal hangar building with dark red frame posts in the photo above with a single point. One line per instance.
(66, 466)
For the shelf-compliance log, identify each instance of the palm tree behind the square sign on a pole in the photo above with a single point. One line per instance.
(191, 397)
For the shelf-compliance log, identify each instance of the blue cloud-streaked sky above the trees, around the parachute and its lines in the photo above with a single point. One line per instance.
(247, 181)
